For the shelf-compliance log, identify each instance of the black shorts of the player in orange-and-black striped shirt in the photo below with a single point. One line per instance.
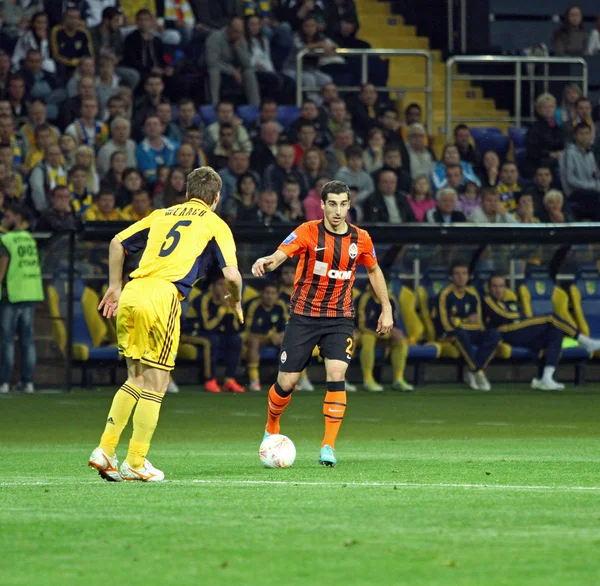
(333, 335)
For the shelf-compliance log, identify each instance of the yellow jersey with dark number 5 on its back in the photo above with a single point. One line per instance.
(179, 244)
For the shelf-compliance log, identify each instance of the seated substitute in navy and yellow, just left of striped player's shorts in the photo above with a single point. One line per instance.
(266, 317)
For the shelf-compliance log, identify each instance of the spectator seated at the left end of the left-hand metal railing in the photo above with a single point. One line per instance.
(317, 70)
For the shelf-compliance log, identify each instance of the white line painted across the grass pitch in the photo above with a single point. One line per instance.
(341, 484)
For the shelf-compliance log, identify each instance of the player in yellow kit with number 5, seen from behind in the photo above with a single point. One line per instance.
(178, 243)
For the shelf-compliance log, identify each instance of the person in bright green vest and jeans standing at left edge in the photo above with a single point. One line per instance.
(20, 290)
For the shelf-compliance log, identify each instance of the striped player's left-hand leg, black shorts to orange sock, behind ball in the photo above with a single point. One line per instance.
(300, 337)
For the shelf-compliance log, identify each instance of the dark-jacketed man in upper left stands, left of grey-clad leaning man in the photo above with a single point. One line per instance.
(143, 50)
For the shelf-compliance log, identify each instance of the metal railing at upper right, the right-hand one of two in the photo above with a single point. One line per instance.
(518, 77)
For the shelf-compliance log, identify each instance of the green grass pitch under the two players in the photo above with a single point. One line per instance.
(442, 487)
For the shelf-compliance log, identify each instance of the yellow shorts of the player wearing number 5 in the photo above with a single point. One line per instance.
(148, 322)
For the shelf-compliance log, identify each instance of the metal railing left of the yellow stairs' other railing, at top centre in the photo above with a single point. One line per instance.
(364, 54)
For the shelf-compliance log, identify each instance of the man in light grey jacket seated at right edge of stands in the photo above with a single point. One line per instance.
(581, 178)
